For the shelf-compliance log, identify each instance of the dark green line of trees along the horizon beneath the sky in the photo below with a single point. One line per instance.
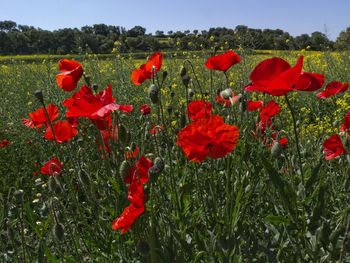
(103, 39)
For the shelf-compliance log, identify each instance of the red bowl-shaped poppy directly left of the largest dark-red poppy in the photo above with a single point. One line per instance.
(223, 62)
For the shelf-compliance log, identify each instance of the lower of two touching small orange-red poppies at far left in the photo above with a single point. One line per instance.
(64, 131)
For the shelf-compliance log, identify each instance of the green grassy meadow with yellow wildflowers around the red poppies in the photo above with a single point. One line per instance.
(264, 200)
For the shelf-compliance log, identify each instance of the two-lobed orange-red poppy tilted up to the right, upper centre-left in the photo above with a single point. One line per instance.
(139, 75)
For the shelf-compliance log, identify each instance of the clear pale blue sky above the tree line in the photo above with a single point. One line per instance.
(293, 16)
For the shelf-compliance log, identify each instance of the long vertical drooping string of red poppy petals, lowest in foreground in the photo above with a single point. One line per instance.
(136, 178)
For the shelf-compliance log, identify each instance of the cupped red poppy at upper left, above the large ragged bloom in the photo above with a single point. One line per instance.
(71, 73)
